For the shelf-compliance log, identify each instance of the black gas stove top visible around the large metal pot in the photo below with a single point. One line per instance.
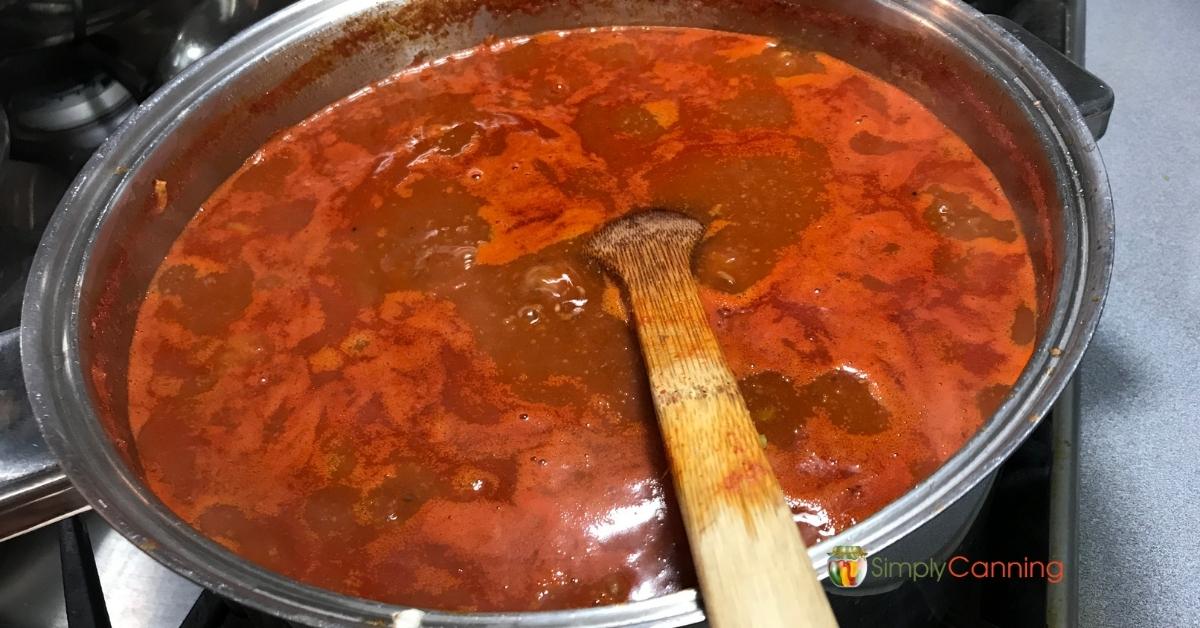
(70, 76)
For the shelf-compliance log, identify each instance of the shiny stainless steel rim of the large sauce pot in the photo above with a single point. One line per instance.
(58, 388)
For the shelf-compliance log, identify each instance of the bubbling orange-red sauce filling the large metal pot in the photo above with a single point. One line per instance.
(376, 360)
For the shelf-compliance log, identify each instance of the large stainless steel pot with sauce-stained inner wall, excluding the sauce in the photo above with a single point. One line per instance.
(109, 236)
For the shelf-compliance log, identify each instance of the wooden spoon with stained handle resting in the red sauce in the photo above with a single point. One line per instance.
(753, 566)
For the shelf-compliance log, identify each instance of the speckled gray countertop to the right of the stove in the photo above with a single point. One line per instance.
(1141, 429)
